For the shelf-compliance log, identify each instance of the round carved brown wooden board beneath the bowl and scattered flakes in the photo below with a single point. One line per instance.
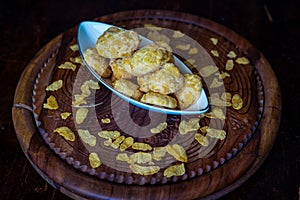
(210, 172)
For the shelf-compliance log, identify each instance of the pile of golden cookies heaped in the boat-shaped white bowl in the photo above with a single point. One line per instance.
(147, 74)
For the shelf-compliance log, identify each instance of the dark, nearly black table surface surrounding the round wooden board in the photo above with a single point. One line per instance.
(271, 26)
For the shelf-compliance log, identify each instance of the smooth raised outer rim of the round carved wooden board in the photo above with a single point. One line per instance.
(222, 178)
